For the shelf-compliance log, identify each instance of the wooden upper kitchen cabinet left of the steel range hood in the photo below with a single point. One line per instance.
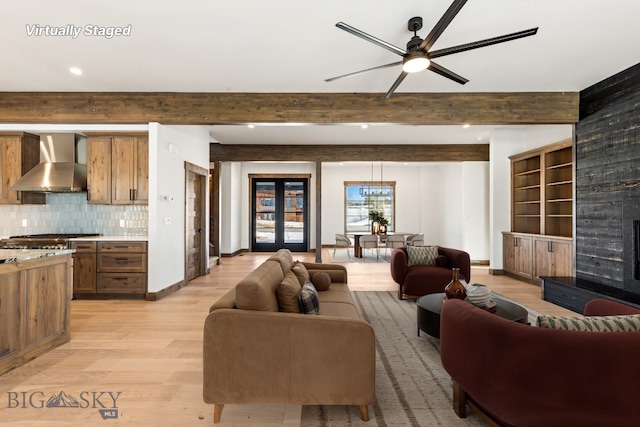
(19, 153)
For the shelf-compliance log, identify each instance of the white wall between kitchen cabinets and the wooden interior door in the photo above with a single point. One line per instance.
(167, 178)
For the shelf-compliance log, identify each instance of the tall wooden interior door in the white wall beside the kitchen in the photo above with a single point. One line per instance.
(195, 226)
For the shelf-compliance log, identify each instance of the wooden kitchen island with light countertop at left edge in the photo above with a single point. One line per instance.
(34, 303)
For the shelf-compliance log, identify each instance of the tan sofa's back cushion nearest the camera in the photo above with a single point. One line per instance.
(257, 291)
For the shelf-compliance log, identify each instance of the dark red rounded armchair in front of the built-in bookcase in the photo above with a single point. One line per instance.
(419, 280)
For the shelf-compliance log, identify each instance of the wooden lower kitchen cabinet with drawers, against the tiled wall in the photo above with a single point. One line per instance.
(119, 267)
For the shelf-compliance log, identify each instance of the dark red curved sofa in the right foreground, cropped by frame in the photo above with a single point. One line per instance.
(512, 374)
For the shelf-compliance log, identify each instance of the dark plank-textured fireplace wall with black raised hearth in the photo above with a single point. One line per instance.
(607, 196)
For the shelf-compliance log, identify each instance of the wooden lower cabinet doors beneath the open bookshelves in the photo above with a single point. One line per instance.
(531, 256)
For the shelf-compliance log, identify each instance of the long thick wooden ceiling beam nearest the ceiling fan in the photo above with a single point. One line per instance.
(324, 108)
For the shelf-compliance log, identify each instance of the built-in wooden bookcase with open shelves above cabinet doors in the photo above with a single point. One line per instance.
(540, 242)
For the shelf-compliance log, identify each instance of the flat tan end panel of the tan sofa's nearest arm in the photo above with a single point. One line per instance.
(278, 358)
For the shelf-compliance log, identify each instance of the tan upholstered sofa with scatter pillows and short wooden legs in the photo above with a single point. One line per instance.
(260, 355)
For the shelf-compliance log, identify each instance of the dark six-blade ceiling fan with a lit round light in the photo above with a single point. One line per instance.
(418, 56)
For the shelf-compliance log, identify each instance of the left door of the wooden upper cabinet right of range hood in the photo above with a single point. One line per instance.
(99, 169)
